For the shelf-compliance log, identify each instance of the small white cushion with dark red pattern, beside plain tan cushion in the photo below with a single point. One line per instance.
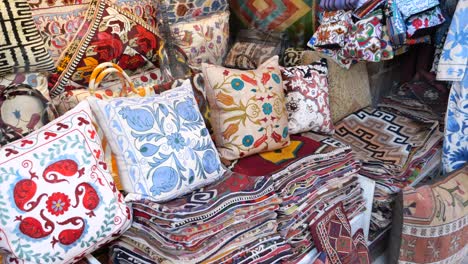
(306, 89)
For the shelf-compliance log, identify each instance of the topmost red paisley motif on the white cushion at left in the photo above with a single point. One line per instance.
(65, 167)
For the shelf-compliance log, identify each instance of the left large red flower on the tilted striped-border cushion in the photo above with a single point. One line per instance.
(107, 46)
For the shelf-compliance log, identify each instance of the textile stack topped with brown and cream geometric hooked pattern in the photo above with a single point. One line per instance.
(393, 148)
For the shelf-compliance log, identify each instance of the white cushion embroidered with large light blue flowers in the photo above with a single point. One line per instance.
(161, 143)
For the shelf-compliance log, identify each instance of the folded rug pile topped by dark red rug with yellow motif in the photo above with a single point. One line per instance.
(310, 176)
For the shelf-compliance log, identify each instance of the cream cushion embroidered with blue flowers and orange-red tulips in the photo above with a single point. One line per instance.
(248, 112)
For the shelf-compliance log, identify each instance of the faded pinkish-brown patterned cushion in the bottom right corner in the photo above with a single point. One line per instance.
(435, 221)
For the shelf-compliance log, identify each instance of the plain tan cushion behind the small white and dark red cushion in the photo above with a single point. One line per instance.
(349, 90)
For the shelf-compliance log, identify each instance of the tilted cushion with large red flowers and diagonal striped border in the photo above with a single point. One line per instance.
(112, 36)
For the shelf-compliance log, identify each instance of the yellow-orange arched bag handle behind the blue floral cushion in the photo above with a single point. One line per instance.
(106, 68)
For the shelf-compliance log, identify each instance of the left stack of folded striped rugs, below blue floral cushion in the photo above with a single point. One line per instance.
(233, 220)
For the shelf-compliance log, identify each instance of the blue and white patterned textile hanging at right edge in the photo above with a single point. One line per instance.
(452, 67)
